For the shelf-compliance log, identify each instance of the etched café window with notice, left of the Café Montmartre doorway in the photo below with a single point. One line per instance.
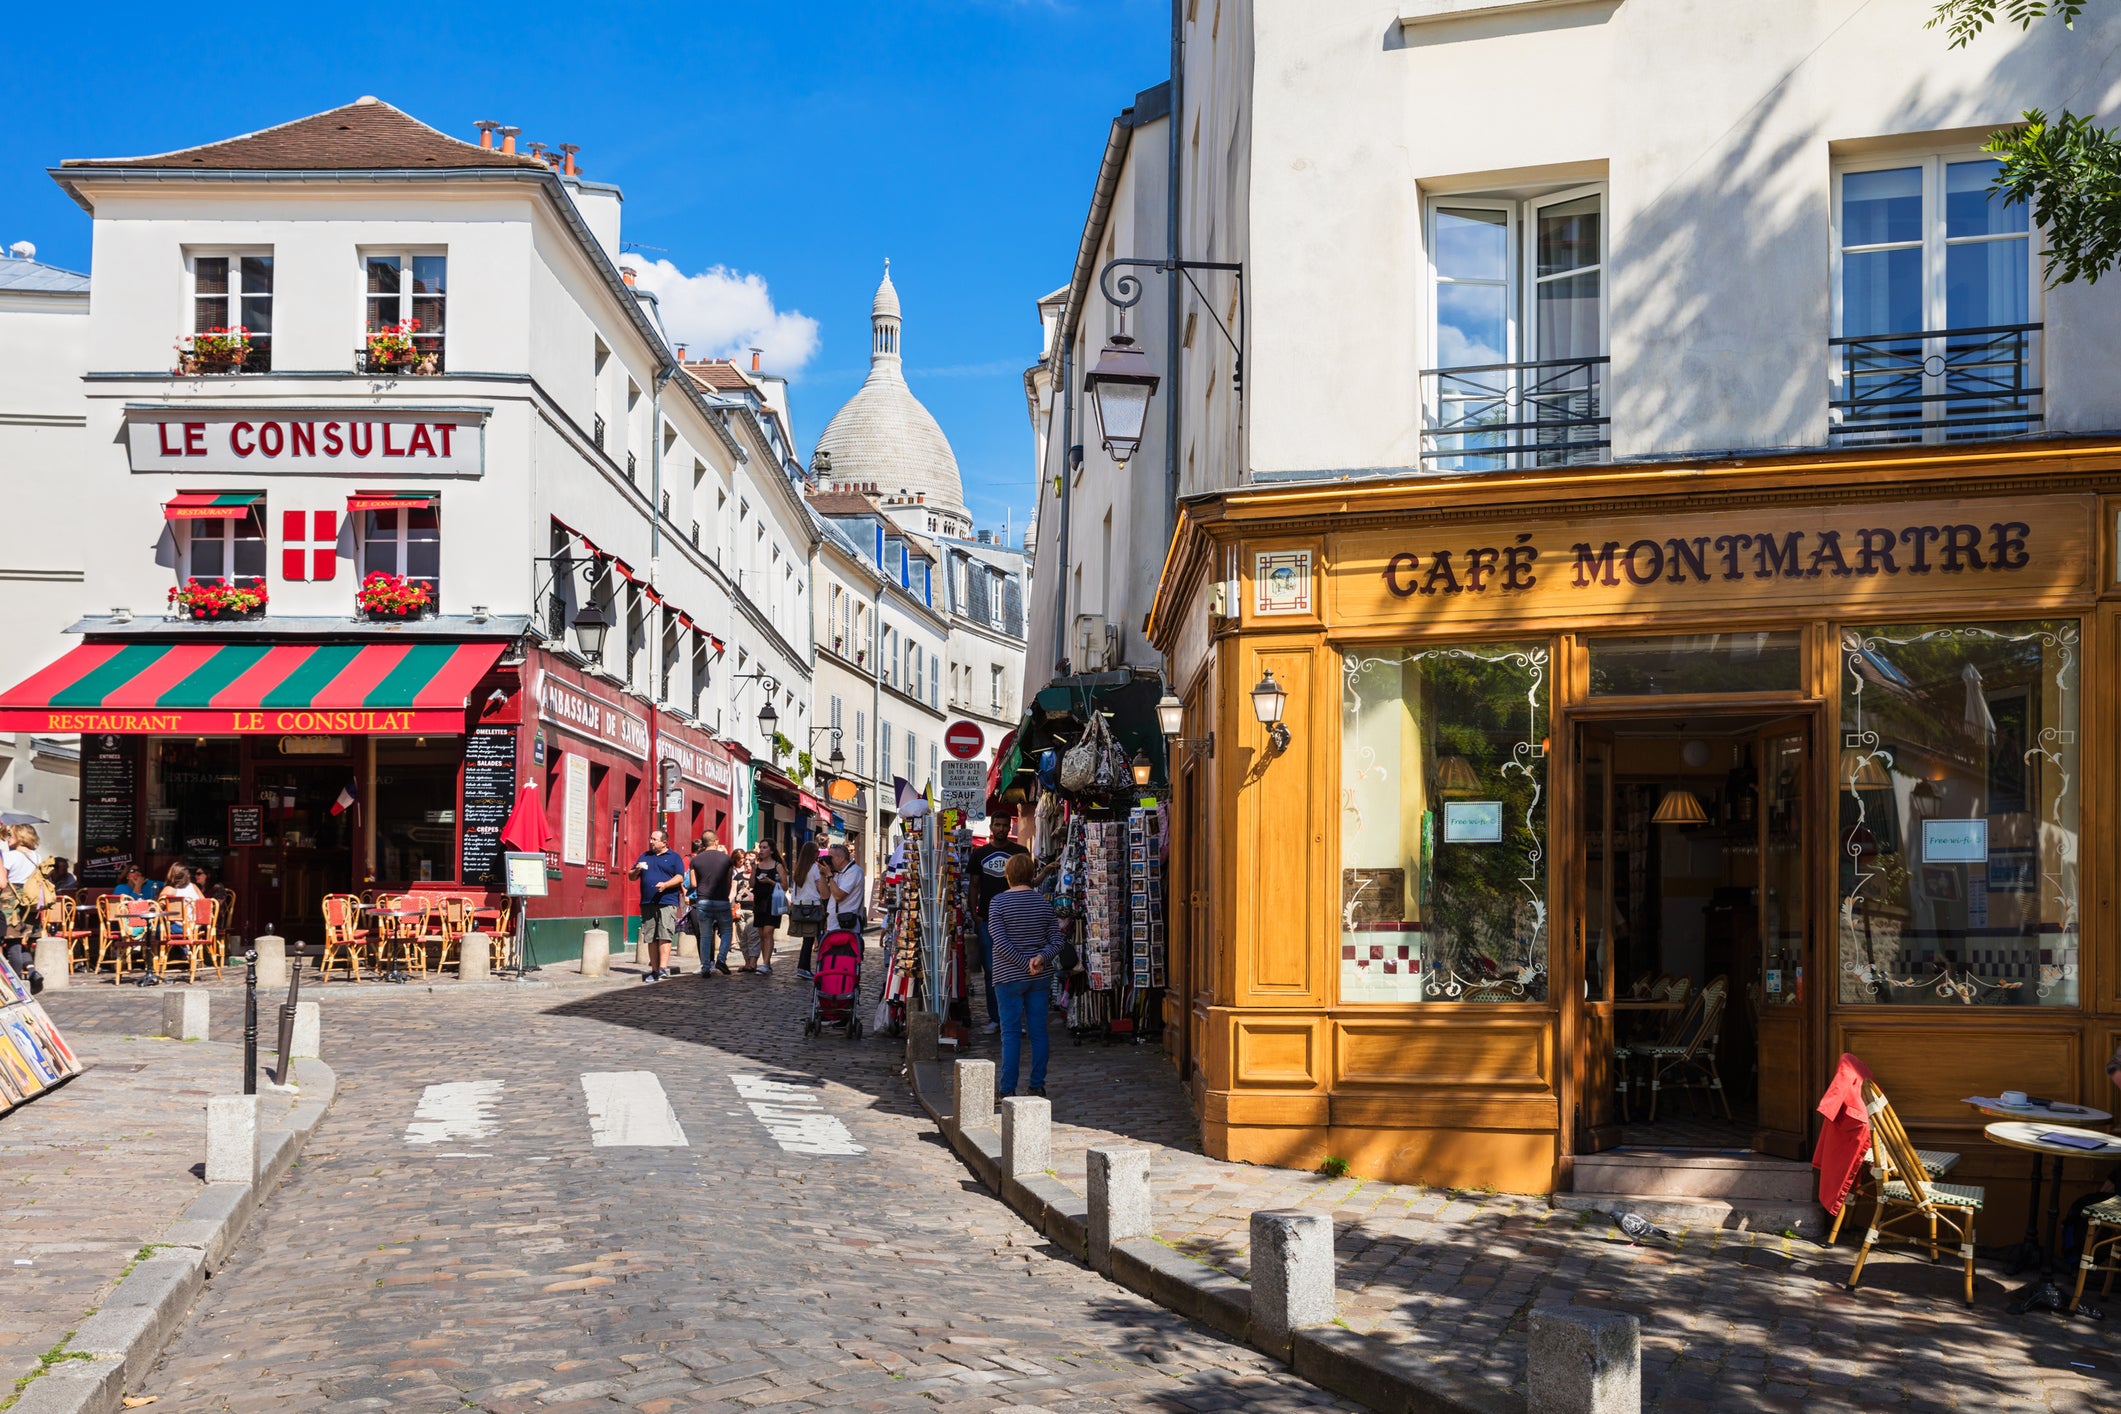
(1443, 826)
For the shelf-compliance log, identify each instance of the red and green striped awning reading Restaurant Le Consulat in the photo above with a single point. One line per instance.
(268, 688)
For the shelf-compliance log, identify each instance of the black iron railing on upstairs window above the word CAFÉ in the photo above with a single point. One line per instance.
(1501, 417)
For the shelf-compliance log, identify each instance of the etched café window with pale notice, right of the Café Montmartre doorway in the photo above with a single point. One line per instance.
(1961, 781)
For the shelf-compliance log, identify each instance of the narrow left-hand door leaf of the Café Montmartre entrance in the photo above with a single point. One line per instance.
(1598, 1110)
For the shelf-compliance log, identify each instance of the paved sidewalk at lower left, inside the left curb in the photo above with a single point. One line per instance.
(94, 1171)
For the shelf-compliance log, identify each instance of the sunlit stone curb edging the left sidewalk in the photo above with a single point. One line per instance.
(124, 1337)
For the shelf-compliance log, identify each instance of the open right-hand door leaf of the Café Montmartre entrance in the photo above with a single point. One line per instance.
(1787, 968)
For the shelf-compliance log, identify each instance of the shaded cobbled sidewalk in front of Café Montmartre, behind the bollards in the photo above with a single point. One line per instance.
(1732, 1320)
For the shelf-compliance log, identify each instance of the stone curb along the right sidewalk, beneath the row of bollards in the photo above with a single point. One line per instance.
(1337, 1360)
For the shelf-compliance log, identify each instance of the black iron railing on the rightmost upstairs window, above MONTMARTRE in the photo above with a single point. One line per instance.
(1944, 385)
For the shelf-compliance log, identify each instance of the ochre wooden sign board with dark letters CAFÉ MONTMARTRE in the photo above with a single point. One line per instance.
(1736, 559)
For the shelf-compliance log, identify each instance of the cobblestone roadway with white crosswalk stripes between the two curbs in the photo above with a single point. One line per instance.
(514, 1265)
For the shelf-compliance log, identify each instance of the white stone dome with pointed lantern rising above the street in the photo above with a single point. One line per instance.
(883, 436)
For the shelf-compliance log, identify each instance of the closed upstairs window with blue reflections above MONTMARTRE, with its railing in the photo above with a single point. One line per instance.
(1935, 304)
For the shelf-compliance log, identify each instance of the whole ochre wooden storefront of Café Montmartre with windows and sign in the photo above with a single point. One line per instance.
(1901, 667)
